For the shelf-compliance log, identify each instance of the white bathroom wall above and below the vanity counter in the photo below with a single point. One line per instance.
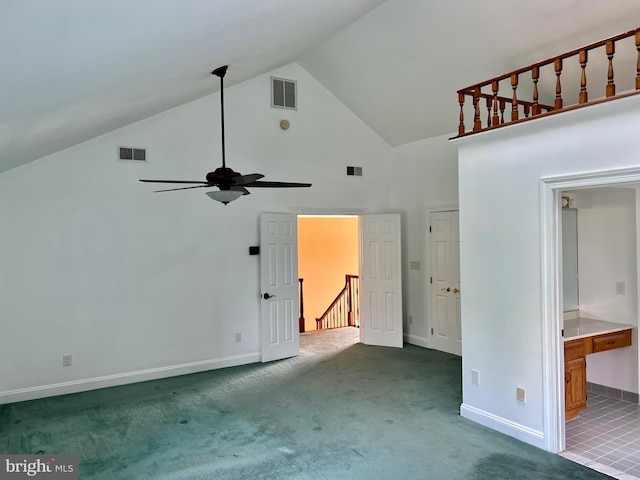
(606, 255)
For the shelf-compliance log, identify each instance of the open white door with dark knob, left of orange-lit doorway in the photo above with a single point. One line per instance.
(280, 337)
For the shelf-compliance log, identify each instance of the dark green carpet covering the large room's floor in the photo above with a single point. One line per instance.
(338, 411)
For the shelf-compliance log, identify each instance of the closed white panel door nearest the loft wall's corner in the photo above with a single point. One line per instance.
(446, 327)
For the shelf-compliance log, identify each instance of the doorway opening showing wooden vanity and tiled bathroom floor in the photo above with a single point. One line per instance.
(600, 311)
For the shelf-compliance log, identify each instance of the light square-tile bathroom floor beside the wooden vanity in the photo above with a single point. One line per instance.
(606, 437)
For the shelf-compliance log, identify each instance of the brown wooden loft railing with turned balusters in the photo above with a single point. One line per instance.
(545, 95)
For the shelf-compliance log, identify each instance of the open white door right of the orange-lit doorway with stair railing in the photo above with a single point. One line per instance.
(381, 280)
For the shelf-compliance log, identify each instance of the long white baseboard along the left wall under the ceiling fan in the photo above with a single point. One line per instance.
(94, 383)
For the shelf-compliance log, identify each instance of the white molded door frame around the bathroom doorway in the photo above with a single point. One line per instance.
(551, 279)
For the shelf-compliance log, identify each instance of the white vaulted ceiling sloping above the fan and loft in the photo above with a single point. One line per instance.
(74, 69)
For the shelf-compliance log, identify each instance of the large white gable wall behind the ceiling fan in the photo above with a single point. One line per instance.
(137, 285)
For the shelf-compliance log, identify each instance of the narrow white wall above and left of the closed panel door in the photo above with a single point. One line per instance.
(425, 175)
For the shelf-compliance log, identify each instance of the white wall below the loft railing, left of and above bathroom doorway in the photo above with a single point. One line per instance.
(500, 176)
